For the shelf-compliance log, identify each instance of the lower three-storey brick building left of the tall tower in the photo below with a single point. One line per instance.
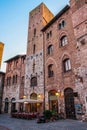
(14, 83)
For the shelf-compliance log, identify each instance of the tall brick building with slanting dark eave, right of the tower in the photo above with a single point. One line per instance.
(59, 62)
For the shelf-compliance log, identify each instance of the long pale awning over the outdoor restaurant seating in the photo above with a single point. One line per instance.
(27, 101)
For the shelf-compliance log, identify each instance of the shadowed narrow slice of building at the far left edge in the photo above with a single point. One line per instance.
(2, 77)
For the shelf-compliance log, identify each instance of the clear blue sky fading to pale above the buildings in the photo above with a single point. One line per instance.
(14, 17)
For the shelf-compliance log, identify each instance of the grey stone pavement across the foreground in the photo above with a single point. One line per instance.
(20, 124)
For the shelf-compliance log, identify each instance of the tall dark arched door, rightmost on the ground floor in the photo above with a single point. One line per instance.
(69, 103)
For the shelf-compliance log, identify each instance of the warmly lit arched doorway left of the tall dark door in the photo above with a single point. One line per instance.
(53, 100)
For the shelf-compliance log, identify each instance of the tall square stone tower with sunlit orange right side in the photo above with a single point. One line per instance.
(34, 80)
